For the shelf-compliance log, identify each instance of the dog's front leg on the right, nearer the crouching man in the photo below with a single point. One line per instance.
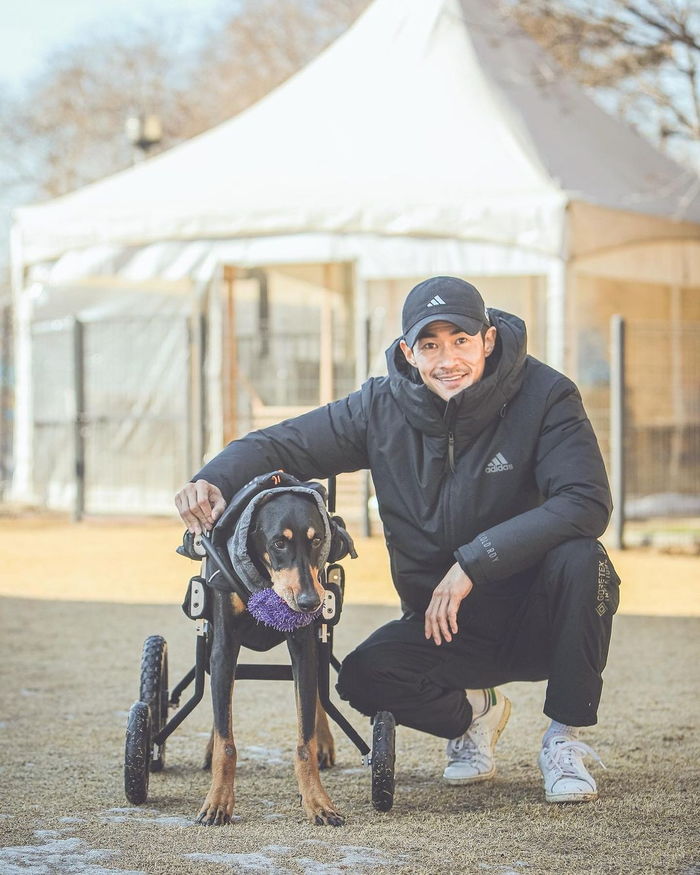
(317, 804)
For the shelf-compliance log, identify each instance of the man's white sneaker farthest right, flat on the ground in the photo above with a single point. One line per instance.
(566, 779)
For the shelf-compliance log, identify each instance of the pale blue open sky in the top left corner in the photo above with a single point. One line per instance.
(31, 29)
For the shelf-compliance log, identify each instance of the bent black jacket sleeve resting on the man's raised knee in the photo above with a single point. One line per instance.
(570, 475)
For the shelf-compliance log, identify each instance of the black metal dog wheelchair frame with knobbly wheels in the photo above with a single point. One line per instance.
(148, 726)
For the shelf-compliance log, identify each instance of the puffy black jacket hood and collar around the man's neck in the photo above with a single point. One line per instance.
(467, 413)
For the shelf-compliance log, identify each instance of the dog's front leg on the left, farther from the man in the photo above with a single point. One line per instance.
(218, 806)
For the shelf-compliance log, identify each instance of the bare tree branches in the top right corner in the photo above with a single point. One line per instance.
(641, 57)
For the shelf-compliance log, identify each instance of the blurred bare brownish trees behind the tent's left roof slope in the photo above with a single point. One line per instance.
(67, 128)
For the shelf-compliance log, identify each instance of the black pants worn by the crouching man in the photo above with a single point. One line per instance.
(553, 622)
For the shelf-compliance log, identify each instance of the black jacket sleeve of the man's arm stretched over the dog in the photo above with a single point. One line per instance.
(328, 440)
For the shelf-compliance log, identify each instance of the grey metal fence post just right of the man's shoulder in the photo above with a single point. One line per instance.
(617, 428)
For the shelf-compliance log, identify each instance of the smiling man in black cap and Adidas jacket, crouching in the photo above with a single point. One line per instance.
(492, 491)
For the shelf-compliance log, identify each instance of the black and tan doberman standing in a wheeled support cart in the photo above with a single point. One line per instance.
(285, 540)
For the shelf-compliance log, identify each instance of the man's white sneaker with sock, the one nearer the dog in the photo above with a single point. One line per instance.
(470, 757)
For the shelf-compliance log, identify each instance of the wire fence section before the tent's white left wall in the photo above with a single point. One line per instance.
(110, 413)
